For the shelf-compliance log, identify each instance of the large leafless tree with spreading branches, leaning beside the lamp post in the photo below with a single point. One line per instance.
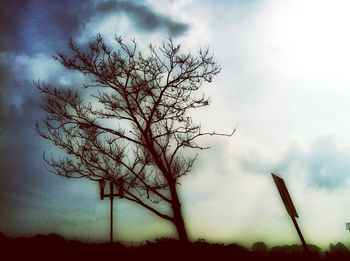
(134, 124)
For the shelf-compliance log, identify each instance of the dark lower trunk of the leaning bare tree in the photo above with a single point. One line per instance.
(178, 218)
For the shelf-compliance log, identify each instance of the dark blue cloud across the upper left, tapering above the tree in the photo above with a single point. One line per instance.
(45, 26)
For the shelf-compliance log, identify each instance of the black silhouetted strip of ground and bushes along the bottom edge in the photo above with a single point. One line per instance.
(56, 247)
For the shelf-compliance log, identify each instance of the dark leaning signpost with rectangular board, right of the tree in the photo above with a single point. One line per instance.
(288, 203)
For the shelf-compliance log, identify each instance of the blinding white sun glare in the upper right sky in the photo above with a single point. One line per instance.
(311, 36)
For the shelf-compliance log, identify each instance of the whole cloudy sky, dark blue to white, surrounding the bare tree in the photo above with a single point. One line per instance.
(285, 81)
